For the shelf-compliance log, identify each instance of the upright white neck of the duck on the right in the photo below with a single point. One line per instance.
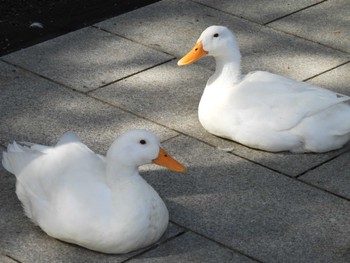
(228, 69)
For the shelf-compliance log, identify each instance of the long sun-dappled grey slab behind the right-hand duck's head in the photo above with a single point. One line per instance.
(176, 26)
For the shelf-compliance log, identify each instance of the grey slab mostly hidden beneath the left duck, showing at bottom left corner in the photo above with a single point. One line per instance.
(25, 242)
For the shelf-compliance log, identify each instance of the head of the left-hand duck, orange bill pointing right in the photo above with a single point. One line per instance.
(138, 147)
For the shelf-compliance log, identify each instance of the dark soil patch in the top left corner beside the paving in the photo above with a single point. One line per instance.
(56, 16)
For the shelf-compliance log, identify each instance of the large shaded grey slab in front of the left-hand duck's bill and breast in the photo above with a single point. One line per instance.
(270, 217)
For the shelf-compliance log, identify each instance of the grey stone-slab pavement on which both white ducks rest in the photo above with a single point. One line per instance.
(238, 206)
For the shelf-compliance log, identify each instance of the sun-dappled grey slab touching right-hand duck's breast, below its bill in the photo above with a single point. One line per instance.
(165, 94)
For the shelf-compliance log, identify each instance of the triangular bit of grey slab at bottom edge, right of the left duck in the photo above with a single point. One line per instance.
(190, 247)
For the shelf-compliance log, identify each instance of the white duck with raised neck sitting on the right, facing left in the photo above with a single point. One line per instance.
(263, 110)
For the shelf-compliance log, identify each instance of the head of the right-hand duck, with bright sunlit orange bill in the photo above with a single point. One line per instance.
(216, 41)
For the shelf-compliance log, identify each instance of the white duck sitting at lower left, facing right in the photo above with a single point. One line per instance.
(101, 203)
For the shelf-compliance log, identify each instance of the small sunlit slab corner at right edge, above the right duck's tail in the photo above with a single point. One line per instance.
(337, 79)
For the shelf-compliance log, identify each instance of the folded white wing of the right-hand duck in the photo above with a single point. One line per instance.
(282, 103)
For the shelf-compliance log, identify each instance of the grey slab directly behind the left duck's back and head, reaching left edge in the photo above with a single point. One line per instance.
(37, 110)
